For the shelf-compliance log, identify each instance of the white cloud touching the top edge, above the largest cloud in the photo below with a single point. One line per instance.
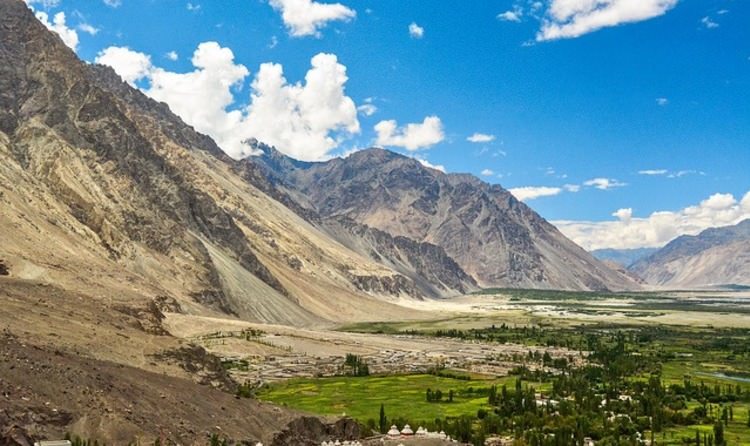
(307, 17)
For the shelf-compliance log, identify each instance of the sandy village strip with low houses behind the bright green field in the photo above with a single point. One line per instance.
(262, 357)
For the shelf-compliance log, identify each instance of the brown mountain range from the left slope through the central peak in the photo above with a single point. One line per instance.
(108, 192)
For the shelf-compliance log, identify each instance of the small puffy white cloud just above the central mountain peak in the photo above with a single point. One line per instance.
(412, 137)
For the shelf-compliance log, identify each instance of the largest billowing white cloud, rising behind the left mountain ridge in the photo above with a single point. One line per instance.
(304, 120)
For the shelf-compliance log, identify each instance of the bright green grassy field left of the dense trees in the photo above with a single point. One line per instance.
(401, 395)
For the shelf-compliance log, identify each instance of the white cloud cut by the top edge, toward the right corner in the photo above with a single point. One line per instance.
(574, 18)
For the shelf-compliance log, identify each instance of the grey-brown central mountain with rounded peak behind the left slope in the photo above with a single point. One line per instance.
(493, 237)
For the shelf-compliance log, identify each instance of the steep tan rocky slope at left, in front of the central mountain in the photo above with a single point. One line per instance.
(108, 192)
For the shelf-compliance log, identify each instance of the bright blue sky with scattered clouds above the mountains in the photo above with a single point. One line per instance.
(664, 90)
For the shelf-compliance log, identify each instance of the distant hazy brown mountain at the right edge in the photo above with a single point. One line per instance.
(716, 256)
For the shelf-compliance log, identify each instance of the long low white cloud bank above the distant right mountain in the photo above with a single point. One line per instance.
(658, 228)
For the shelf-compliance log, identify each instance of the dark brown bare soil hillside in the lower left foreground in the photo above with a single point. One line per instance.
(71, 363)
